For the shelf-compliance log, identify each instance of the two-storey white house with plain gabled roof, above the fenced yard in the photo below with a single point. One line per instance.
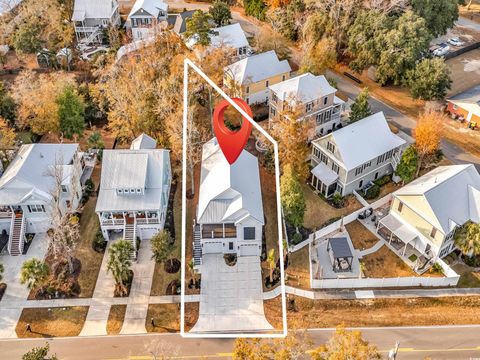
(352, 157)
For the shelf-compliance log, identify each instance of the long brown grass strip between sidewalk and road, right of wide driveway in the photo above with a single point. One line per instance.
(377, 312)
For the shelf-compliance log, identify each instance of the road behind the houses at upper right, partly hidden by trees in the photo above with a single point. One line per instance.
(403, 122)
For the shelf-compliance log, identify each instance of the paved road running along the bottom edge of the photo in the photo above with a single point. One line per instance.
(449, 342)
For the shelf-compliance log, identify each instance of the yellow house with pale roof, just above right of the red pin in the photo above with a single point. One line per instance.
(250, 78)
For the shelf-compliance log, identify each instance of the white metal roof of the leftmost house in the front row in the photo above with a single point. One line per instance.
(30, 172)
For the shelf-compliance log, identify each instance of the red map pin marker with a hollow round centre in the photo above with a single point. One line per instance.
(231, 142)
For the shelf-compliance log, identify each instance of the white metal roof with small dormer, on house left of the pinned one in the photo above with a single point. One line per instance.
(144, 169)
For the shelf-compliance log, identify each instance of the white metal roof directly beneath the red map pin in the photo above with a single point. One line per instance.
(228, 193)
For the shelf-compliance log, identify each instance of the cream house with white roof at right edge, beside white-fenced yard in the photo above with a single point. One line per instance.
(425, 213)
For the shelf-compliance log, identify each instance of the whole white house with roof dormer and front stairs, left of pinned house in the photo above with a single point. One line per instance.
(134, 191)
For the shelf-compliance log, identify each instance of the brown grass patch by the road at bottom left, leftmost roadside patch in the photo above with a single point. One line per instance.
(51, 322)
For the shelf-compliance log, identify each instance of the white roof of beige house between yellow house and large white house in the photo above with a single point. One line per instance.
(303, 88)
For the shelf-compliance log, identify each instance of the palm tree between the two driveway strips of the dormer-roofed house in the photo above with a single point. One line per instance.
(119, 263)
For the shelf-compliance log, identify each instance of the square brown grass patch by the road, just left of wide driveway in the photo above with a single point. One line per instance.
(166, 318)
